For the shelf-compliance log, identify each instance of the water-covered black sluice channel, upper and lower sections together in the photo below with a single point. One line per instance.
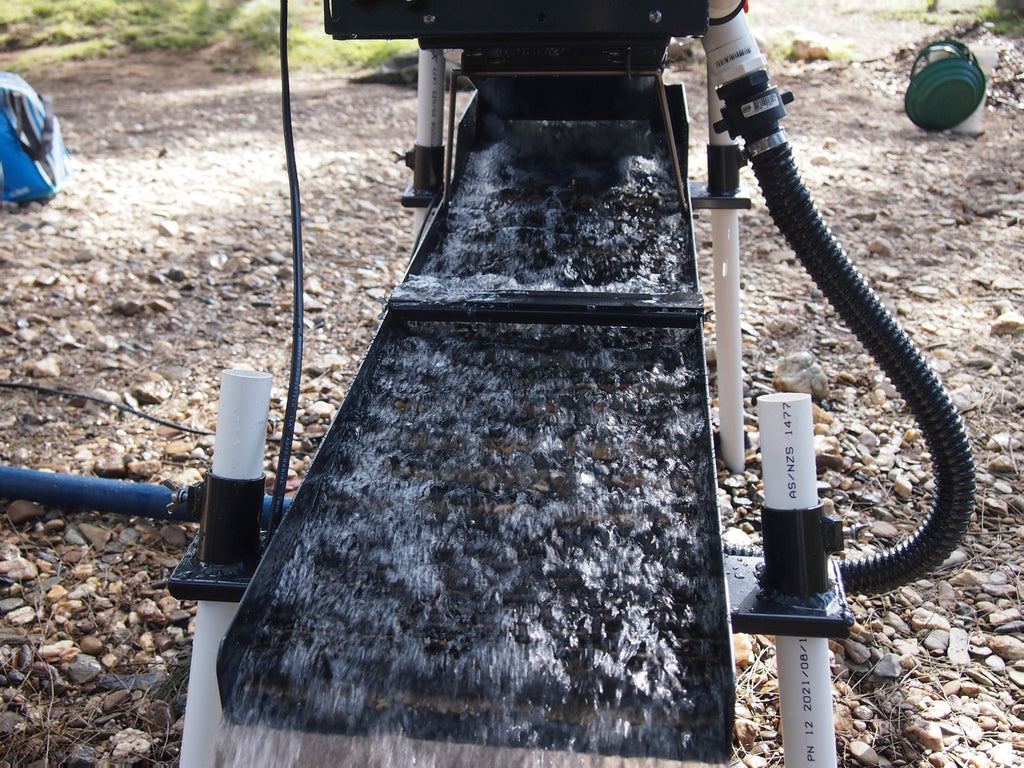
(507, 550)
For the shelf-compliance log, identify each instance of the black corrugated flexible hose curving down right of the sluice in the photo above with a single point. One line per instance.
(795, 215)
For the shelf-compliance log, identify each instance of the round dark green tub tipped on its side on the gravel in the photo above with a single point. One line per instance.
(947, 86)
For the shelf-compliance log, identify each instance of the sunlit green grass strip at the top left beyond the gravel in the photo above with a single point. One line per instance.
(41, 32)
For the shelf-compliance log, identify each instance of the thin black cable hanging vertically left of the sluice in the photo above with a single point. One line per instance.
(292, 404)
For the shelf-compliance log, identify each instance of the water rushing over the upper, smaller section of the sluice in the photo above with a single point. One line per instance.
(587, 206)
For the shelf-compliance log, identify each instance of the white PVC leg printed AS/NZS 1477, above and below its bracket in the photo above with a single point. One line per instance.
(787, 425)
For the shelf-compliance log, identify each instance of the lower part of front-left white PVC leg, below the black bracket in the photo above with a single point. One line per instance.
(203, 709)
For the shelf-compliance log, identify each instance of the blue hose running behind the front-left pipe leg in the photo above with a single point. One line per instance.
(76, 492)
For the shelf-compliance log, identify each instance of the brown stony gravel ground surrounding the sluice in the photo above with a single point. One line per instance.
(166, 261)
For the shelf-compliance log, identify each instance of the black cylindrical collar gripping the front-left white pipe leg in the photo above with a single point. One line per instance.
(230, 529)
